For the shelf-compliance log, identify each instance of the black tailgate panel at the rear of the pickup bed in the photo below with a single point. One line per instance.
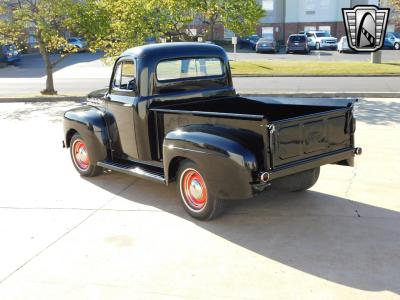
(304, 137)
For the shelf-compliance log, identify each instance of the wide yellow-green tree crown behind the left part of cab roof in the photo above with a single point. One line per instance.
(122, 24)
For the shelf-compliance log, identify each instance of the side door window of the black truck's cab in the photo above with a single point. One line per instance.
(125, 76)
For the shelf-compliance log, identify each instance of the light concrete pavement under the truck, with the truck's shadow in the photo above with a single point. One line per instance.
(118, 237)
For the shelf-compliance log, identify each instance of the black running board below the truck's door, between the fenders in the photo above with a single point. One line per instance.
(135, 169)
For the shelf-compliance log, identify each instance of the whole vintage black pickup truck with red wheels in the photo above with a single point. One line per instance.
(171, 113)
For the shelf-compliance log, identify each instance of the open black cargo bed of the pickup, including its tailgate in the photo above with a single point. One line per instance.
(289, 131)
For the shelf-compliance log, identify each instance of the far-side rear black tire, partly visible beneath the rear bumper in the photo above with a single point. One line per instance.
(297, 182)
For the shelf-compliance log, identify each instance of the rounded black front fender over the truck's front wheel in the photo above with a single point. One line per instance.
(89, 122)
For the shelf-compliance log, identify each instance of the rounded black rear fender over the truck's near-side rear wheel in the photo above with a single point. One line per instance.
(228, 165)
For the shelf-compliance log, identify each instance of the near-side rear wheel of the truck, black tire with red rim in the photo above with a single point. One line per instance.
(198, 208)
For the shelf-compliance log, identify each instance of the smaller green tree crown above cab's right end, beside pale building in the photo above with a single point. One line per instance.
(240, 16)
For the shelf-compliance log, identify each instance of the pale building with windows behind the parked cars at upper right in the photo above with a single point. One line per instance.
(285, 17)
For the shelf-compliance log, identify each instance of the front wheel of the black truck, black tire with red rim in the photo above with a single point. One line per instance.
(84, 166)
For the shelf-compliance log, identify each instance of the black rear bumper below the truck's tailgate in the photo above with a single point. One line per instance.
(342, 157)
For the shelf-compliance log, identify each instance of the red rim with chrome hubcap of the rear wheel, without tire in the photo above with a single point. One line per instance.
(194, 189)
